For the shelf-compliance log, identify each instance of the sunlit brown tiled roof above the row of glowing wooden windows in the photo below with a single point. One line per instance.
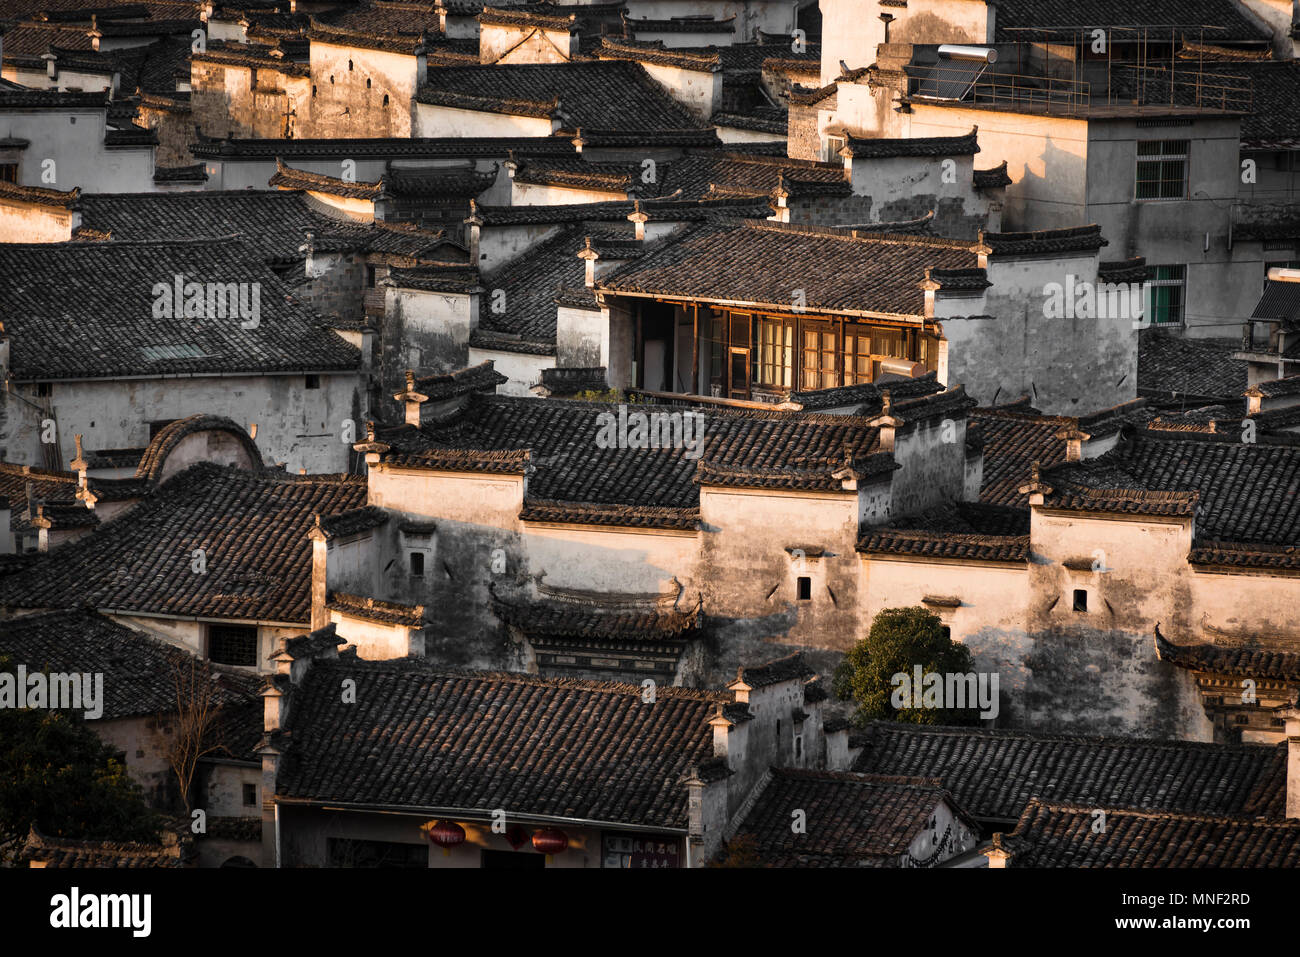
(766, 263)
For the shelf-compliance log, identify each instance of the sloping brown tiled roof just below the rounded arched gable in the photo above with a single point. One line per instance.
(253, 530)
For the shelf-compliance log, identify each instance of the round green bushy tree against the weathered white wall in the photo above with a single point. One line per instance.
(900, 640)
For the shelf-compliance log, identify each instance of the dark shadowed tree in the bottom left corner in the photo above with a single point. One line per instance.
(57, 774)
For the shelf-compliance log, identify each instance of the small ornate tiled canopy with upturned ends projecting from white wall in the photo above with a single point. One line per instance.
(580, 617)
